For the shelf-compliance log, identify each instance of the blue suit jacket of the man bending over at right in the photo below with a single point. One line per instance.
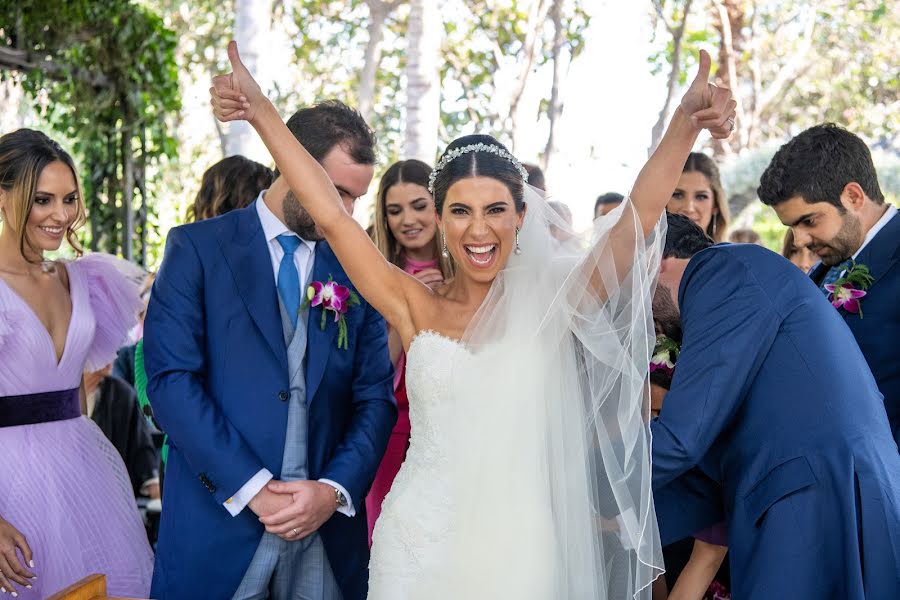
(774, 418)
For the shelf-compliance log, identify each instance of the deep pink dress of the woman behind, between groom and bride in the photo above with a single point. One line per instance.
(399, 442)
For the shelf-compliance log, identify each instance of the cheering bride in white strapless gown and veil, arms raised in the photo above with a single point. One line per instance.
(528, 472)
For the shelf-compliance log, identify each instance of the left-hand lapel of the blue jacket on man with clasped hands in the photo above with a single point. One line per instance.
(248, 257)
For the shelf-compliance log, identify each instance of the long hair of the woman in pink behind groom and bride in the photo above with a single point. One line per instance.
(405, 171)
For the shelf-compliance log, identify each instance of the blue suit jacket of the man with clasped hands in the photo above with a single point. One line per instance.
(218, 381)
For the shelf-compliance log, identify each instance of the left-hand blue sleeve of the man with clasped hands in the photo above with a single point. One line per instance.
(175, 360)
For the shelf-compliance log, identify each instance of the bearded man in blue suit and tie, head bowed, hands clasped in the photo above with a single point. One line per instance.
(273, 424)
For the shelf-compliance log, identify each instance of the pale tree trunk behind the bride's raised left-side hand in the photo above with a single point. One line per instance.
(251, 31)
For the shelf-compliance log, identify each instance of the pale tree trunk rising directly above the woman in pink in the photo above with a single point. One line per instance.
(423, 81)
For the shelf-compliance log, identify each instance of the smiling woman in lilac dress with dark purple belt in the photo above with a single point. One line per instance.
(67, 509)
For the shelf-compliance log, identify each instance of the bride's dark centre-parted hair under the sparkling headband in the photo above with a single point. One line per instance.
(478, 164)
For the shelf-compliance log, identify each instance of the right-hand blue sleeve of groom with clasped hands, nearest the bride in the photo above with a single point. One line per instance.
(357, 457)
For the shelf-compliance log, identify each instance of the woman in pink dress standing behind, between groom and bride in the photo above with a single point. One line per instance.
(406, 232)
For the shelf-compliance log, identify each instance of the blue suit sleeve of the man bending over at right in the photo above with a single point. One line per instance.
(729, 325)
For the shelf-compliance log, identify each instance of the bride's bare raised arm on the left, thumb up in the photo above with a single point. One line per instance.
(237, 96)
